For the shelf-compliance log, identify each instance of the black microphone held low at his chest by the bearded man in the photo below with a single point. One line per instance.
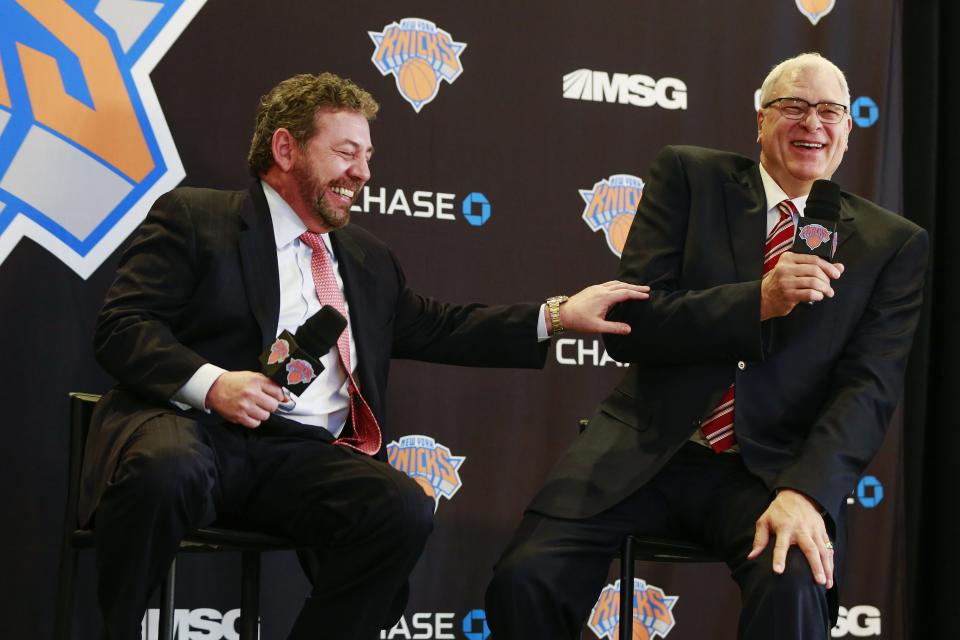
(293, 360)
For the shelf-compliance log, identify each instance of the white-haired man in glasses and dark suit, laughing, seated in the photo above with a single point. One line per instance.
(814, 350)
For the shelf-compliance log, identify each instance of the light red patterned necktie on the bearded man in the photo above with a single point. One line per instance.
(366, 432)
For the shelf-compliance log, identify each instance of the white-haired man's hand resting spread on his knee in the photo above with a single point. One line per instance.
(793, 518)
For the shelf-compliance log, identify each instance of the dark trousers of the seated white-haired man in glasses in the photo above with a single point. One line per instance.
(553, 569)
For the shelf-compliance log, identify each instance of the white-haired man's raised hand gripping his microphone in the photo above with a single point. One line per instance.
(798, 277)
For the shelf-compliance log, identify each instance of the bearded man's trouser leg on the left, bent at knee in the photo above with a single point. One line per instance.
(162, 489)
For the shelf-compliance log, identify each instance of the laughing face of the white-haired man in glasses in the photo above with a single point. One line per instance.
(797, 152)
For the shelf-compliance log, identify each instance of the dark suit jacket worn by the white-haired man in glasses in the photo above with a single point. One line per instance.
(815, 389)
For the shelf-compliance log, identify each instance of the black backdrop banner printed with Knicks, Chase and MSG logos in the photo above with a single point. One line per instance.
(512, 149)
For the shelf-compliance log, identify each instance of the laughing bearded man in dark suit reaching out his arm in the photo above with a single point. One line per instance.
(195, 434)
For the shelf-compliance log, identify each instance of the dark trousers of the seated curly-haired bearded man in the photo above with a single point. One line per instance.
(366, 523)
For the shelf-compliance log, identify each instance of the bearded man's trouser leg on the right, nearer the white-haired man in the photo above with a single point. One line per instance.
(366, 522)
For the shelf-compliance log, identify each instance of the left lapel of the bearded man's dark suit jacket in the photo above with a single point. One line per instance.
(258, 257)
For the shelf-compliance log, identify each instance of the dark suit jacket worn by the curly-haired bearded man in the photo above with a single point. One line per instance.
(199, 283)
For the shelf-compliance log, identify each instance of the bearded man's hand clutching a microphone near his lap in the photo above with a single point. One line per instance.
(244, 397)
